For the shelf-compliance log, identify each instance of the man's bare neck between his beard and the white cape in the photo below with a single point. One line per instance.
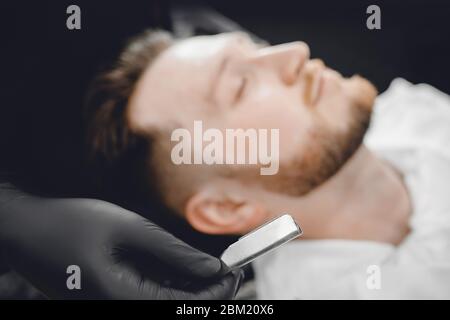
(365, 200)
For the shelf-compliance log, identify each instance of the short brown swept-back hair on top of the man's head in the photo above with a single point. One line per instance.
(117, 155)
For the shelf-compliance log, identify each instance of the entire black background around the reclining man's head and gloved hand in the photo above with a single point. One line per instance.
(46, 68)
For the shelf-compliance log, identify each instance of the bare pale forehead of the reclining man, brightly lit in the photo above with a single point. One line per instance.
(182, 73)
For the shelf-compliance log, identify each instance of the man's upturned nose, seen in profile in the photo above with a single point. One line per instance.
(287, 60)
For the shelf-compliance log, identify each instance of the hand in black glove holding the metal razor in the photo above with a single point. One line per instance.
(120, 254)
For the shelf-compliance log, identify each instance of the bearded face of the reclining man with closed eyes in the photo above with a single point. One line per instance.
(227, 81)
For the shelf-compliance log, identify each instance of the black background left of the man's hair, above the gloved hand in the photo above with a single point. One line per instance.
(47, 69)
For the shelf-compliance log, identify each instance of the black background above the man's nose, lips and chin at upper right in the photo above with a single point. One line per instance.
(414, 40)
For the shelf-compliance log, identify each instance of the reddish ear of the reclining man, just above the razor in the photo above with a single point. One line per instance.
(220, 212)
